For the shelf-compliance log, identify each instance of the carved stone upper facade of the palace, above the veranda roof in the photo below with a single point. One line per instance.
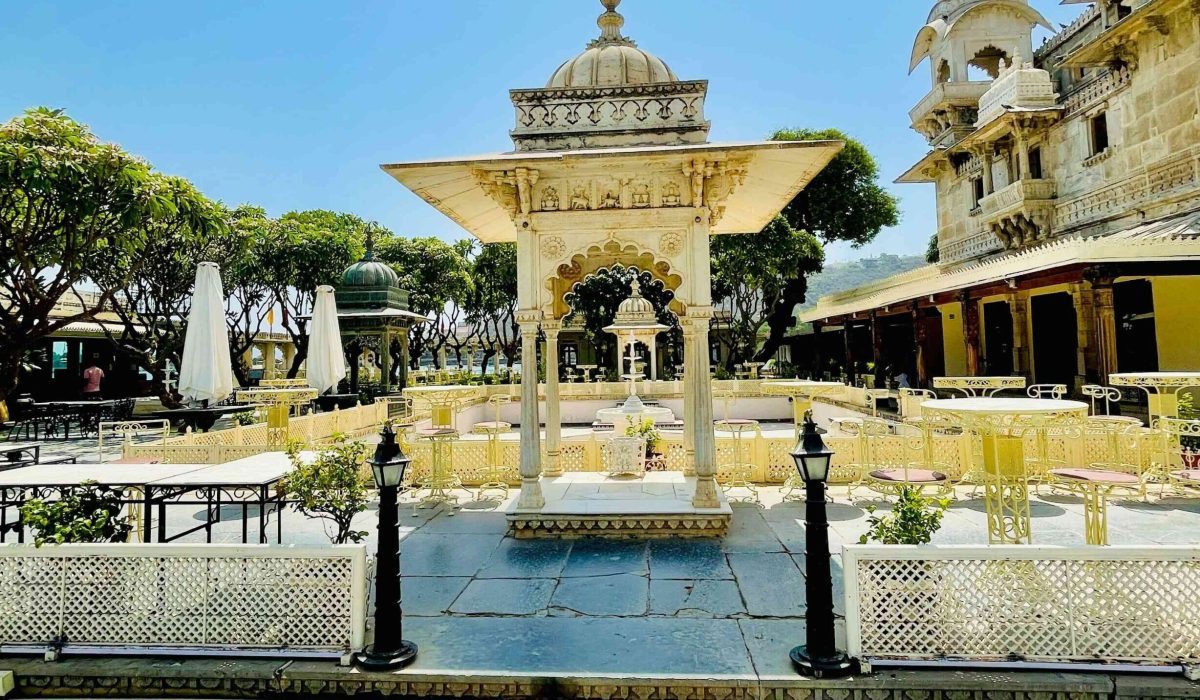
(1096, 134)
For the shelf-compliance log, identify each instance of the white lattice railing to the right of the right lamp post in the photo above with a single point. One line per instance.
(1040, 605)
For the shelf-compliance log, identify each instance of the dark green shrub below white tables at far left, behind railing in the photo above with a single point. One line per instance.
(88, 513)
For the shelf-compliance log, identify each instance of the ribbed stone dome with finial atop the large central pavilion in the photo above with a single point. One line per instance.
(611, 61)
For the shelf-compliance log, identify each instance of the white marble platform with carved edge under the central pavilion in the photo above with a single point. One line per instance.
(584, 504)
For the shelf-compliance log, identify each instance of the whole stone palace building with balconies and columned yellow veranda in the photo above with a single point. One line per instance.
(1069, 202)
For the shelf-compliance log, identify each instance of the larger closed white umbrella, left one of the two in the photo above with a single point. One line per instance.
(206, 374)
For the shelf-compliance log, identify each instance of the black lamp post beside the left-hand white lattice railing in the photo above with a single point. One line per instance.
(389, 653)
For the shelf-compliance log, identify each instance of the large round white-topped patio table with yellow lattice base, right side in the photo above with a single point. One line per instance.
(1003, 426)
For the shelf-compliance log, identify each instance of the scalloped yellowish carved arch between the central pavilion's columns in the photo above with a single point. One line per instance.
(603, 256)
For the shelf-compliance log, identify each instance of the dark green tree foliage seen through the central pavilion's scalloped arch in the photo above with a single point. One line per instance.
(596, 300)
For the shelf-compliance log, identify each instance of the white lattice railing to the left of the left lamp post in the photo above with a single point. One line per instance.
(184, 600)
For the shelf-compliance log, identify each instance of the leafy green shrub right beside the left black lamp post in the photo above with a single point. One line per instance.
(332, 488)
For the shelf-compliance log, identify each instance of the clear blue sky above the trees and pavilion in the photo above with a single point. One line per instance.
(295, 104)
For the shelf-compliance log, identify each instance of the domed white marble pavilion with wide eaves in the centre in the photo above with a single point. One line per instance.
(613, 165)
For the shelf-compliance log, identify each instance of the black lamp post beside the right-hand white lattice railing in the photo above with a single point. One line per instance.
(819, 657)
